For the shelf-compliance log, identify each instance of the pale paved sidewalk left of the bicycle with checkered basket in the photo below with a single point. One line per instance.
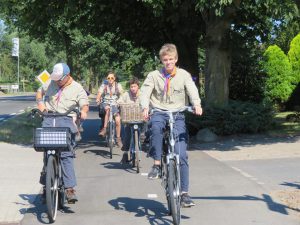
(19, 174)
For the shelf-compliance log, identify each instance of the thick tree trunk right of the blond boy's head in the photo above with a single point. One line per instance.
(218, 61)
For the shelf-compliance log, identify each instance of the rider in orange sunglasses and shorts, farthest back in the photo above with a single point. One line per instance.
(110, 91)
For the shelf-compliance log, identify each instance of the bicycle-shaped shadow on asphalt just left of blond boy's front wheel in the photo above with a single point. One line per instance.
(154, 211)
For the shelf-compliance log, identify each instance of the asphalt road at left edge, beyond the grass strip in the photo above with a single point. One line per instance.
(13, 105)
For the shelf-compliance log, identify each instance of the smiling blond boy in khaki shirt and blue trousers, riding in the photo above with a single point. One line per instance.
(169, 89)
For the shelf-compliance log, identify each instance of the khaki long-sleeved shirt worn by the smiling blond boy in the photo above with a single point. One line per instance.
(182, 91)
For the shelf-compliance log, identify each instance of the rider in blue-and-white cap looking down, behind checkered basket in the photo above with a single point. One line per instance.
(61, 95)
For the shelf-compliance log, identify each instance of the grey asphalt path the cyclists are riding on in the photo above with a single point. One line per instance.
(110, 193)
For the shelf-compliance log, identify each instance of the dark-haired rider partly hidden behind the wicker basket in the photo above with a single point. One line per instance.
(129, 97)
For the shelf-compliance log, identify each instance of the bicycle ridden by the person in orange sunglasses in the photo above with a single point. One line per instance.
(111, 127)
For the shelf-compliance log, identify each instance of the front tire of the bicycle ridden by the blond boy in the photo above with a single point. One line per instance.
(174, 191)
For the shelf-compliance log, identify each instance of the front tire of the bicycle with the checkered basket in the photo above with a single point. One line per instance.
(52, 188)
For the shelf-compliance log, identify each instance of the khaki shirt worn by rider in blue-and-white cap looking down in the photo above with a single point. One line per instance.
(72, 96)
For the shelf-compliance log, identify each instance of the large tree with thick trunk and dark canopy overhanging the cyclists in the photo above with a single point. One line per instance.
(154, 22)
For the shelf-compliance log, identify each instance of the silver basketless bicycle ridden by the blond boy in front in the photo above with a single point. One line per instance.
(170, 171)
